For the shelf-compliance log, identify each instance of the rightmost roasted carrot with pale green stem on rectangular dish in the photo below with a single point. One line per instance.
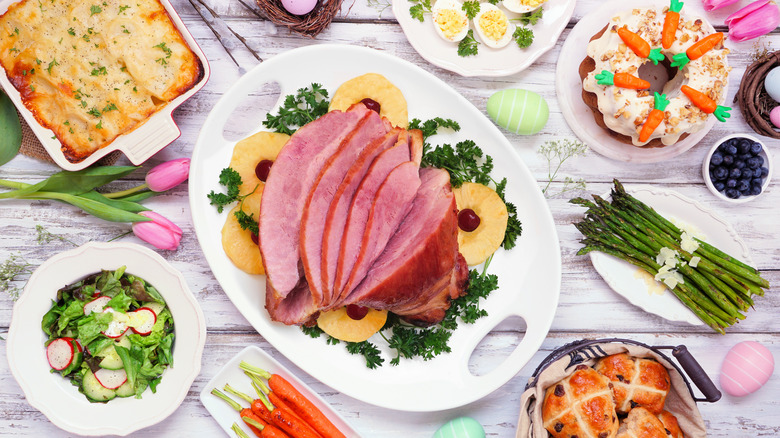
(297, 402)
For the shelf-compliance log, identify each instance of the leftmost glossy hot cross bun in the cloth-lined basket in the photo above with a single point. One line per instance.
(580, 405)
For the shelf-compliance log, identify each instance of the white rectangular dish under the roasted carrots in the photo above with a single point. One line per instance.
(231, 374)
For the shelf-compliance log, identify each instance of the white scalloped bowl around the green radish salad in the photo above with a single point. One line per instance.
(53, 394)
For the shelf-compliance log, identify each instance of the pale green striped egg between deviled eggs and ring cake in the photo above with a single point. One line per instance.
(520, 111)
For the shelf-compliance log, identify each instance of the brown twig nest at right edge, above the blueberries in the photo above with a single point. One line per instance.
(754, 102)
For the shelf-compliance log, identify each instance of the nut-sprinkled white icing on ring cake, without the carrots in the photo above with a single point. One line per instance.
(625, 110)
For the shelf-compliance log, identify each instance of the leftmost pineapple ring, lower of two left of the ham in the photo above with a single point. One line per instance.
(237, 242)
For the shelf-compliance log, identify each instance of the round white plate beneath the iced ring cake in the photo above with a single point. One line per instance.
(579, 117)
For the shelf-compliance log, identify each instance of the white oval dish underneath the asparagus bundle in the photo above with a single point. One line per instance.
(639, 287)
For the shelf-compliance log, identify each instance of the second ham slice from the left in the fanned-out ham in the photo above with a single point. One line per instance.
(322, 193)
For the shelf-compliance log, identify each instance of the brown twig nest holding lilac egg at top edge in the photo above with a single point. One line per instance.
(309, 25)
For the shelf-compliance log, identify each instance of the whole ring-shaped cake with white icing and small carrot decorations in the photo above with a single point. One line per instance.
(694, 57)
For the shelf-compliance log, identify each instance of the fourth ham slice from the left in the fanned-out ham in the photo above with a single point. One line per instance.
(359, 210)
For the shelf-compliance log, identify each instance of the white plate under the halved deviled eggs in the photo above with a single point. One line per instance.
(488, 62)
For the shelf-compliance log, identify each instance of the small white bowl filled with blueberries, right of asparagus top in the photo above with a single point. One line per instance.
(737, 168)
